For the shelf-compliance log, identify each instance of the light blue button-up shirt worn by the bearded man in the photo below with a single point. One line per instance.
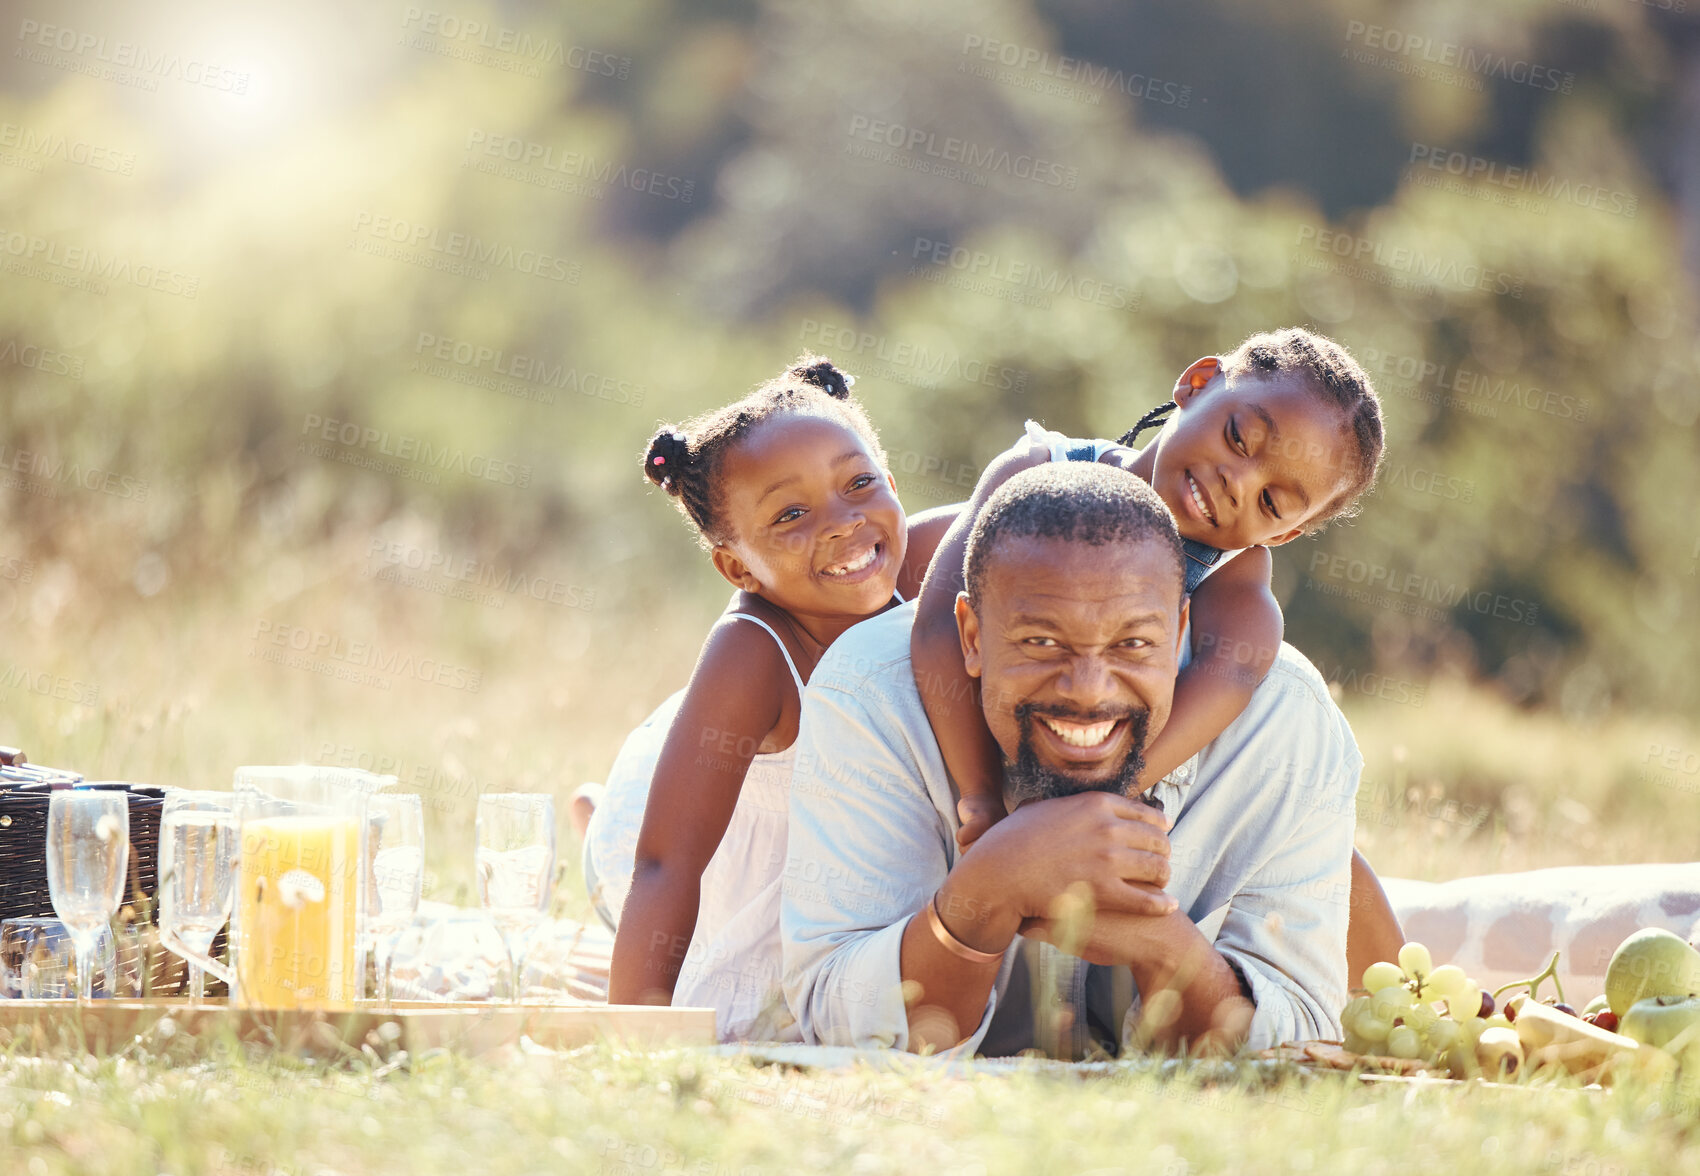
(1261, 852)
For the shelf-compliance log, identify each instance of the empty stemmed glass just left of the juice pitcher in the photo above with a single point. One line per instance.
(198, 876)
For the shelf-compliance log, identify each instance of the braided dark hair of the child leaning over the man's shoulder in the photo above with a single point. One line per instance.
(1330, 373)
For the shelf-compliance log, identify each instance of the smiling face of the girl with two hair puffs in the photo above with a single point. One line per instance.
(813, 519)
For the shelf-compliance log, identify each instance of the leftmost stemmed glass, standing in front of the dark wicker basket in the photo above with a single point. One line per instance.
(88, 857)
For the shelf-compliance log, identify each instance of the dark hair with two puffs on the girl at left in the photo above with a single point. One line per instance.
(686, 460)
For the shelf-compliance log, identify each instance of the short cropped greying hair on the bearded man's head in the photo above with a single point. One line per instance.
(1080, 502)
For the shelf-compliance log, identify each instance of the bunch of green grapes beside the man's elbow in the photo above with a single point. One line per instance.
(1398, 1017)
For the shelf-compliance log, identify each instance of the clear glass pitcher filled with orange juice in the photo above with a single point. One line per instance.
(295, 930)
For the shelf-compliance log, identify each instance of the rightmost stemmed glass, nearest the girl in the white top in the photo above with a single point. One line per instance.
(516, 866)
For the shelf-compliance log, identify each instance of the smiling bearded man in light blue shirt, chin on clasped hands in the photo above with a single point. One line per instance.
(1221, 922)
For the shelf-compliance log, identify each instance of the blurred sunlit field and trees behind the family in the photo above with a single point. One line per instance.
(331, 336)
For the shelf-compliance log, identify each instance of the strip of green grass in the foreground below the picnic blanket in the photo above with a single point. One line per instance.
(686, 1112)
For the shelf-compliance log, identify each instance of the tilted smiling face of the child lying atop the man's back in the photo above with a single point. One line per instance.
(1250, 461)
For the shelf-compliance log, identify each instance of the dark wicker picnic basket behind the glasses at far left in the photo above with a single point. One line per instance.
(26, 793)
